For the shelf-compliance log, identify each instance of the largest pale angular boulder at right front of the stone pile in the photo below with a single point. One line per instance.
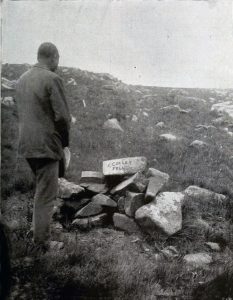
(163, 214)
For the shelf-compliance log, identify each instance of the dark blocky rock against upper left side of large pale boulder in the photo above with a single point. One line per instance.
(133, 202)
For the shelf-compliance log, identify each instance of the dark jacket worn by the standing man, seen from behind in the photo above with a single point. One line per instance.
(44, 118)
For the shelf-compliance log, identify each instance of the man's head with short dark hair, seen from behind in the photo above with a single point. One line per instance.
(48, 55)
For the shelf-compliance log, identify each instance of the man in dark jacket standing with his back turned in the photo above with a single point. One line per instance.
(44, 123)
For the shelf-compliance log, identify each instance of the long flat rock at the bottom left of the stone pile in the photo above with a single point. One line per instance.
(86, 223)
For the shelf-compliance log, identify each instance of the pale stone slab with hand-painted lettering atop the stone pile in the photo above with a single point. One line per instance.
(124, 166)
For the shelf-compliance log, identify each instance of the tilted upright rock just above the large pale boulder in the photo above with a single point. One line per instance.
(156, 183)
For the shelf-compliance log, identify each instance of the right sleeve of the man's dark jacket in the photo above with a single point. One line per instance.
(61, 110)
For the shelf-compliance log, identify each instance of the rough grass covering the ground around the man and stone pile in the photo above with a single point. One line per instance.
(104, 263)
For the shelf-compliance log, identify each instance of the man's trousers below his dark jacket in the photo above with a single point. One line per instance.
(46, 174)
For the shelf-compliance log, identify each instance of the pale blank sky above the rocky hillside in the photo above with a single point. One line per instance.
(175, 43)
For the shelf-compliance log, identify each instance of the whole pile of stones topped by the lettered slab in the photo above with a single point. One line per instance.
(128, 195)
